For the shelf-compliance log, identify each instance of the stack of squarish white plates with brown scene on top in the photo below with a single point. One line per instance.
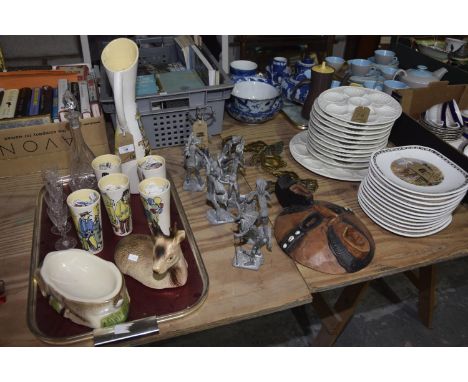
(412, 190)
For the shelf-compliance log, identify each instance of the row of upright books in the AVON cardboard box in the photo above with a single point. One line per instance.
(48, 101)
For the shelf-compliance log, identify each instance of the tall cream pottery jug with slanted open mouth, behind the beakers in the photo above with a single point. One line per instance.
(120, 59)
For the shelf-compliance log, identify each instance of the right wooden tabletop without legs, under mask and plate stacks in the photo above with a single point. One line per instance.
(394, 253)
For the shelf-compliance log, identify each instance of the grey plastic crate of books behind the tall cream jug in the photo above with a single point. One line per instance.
(168, 118)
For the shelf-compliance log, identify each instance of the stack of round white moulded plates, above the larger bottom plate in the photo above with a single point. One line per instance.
(336, 140)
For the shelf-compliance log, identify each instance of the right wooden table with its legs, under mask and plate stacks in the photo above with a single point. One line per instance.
(394, 254)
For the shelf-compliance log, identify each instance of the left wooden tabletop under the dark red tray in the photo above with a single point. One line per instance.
(233, 294)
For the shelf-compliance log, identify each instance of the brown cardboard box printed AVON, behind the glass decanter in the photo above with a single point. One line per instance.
(24, 150)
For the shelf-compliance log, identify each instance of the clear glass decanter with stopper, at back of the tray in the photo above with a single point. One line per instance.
(81, 172)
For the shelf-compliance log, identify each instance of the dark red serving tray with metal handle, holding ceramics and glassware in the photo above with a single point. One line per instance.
(148, 307)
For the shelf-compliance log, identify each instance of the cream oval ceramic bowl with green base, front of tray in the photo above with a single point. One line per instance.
(84, 288)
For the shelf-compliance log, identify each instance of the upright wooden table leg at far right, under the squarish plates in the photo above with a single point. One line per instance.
(427, 284)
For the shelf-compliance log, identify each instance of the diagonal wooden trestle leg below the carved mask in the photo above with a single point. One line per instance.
(335, 320)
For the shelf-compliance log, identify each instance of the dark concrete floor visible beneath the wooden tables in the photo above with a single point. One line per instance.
(377, 321)
